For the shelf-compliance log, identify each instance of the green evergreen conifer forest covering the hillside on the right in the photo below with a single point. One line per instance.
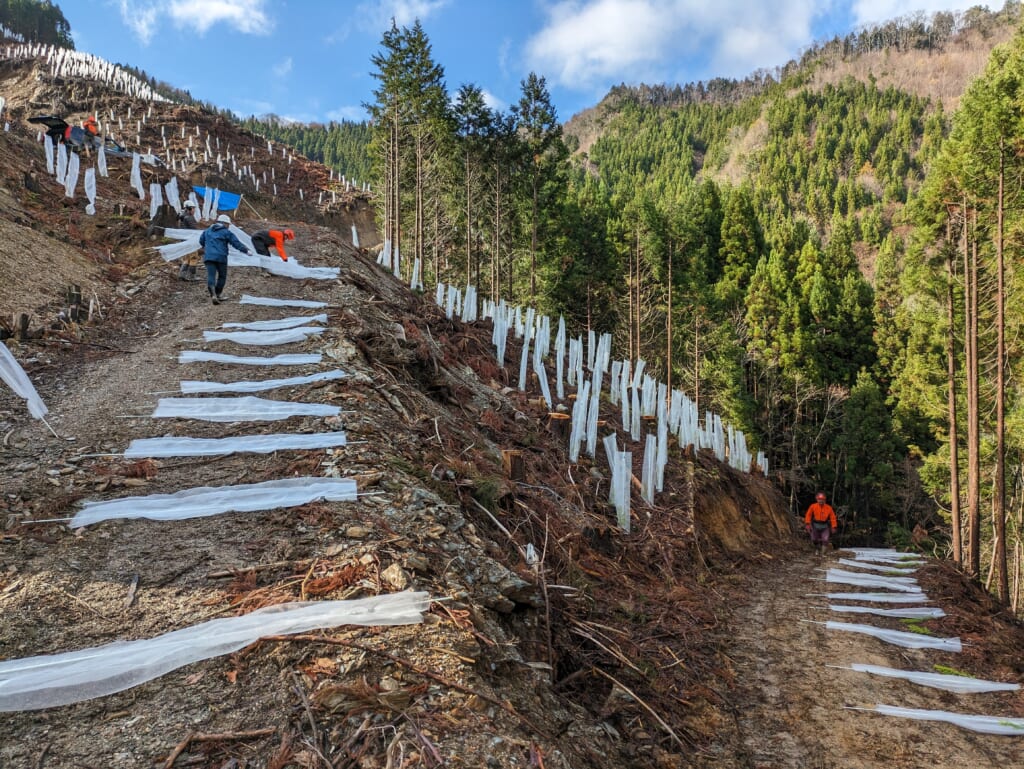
(816, 259)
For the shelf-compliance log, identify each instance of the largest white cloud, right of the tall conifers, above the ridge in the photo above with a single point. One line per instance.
(595, 44)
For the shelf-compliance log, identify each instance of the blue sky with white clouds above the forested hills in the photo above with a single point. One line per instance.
(310, 60)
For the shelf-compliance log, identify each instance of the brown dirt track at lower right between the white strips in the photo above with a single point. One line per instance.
(794, 712)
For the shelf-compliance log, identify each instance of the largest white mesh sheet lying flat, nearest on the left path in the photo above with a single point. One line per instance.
(55, 680)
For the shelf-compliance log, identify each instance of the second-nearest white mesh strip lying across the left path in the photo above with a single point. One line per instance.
(203, 502)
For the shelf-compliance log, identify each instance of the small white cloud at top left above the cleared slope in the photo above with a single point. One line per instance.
(247, 17)
